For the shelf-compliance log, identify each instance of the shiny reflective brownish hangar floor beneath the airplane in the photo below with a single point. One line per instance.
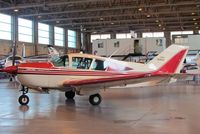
(162, 109)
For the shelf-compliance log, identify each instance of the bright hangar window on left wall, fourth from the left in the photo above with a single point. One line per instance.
(59, 36)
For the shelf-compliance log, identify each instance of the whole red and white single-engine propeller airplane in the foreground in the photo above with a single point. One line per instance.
(83, 74)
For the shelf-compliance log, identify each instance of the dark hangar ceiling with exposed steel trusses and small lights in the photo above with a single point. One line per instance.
(106, 16)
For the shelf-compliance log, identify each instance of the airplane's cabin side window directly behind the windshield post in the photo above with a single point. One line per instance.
(81, 62)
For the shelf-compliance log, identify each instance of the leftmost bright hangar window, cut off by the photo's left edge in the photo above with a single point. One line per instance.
(5, 27)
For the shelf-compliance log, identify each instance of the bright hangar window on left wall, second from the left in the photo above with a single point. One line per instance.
(25, 30)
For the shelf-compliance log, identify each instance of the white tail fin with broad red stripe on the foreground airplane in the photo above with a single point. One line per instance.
(170, 60)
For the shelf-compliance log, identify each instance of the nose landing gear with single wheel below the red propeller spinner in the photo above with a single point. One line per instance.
(24, 99)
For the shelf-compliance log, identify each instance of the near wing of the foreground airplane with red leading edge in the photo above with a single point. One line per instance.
(137, 80)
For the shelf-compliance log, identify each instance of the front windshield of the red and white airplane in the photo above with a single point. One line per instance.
(62, 61)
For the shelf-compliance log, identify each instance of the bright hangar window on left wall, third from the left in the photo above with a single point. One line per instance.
(43, 33)
